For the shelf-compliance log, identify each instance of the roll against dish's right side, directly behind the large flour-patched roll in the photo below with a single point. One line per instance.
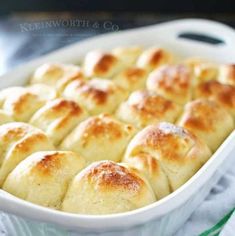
(208, 120)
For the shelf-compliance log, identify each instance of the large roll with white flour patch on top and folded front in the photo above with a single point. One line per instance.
(170, 151)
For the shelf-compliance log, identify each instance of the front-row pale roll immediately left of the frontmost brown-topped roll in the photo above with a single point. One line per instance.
(43, 177)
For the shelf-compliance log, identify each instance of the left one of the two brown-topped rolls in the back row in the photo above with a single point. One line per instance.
(101, 64)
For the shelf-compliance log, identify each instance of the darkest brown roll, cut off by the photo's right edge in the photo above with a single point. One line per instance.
(221, 93)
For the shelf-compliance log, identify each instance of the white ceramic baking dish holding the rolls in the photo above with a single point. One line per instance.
(169, 214)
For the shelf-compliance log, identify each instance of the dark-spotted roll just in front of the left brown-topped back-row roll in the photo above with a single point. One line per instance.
(96, 95)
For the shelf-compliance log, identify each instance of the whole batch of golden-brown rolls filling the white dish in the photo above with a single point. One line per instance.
(119, 131)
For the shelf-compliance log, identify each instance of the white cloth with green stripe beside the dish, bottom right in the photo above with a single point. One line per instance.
(216, 214)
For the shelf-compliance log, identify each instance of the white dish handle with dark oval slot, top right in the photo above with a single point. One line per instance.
(217, 32)
